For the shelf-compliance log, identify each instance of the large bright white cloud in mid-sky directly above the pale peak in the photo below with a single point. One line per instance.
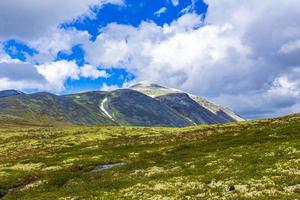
(178, 51)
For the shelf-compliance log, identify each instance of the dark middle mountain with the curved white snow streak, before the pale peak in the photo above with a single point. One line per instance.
(129, 107)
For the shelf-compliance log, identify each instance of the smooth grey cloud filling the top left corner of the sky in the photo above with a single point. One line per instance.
(27, 20)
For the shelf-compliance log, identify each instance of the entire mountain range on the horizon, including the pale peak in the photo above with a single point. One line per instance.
(144, 104)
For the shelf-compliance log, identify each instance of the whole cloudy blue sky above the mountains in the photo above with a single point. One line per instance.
(243, 54)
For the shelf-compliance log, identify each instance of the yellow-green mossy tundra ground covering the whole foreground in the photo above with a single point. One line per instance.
(248, 160)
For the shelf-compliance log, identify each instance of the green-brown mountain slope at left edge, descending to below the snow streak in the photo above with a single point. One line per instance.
(46, 107)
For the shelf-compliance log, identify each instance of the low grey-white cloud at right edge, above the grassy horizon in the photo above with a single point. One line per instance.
(280, 99)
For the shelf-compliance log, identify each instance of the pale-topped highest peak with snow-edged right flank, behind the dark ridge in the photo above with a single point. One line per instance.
(210, 113)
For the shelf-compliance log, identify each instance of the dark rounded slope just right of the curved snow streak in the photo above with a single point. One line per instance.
(129, 107)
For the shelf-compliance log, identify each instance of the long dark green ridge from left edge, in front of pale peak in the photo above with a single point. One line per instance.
(126, 107)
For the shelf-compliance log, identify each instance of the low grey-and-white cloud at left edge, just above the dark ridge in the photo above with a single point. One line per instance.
(15, 74)
